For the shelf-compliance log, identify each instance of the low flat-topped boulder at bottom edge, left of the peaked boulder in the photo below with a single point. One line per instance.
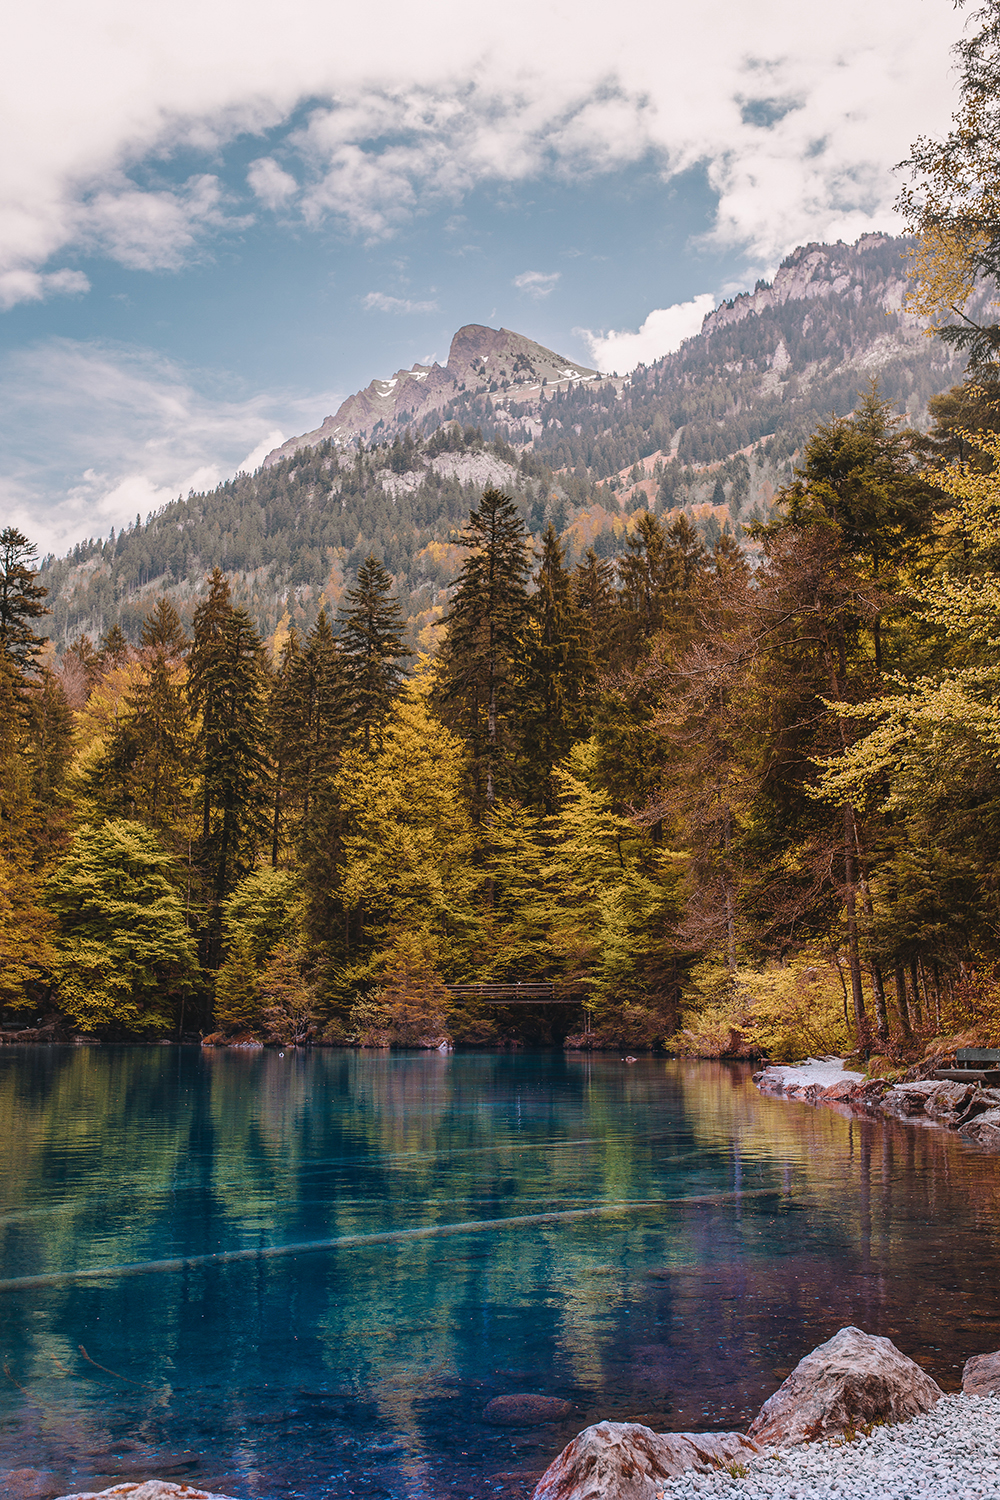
(629, 1462)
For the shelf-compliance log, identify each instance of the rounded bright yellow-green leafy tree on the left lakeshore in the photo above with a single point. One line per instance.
(125, 956)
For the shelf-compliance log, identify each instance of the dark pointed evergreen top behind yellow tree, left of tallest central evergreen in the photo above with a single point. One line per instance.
(373, 643)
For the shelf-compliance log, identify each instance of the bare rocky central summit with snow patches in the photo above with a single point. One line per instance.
(482, 362)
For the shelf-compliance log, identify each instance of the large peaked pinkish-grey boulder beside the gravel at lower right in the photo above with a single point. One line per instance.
(852, 1379)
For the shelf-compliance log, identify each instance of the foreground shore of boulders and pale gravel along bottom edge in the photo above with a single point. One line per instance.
(857, 1420)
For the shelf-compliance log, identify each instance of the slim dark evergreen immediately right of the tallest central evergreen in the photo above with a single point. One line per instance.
(560, 676)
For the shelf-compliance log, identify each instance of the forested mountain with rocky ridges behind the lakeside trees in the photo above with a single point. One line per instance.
(714, 428)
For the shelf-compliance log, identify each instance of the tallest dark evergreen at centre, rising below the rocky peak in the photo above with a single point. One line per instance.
(484, 650)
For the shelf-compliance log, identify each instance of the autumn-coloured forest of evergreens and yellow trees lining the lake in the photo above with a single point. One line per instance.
(728, 803)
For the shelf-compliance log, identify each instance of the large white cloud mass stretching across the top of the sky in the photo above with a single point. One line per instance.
(97, 100)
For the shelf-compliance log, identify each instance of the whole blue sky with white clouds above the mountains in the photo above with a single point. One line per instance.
(217, 220)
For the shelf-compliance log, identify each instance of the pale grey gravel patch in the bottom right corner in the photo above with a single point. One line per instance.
(953, 1453)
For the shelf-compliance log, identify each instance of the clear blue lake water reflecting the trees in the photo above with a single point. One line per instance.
(310, 1274)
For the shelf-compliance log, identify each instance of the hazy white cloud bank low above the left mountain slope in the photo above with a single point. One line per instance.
(116, 431)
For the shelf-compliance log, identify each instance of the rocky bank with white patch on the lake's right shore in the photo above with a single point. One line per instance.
(971, 1109)
